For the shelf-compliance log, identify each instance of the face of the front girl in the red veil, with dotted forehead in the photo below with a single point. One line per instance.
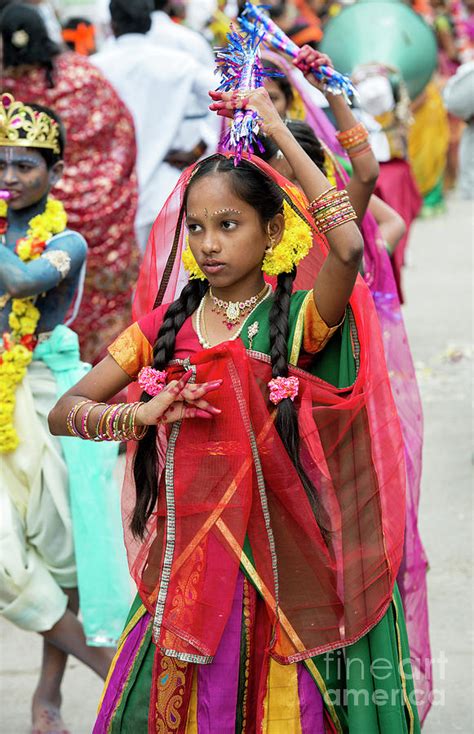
(226, 235)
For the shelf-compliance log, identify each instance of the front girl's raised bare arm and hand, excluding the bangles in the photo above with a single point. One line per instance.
(335, 281)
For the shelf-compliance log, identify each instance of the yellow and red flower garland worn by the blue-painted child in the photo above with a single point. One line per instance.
(19, 343)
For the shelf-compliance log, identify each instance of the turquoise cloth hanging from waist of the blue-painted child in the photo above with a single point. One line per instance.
(102, 569)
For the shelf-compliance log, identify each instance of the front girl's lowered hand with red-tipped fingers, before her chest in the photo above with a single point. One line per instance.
(178, 400)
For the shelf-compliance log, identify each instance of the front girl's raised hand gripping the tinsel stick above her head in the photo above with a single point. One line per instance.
(225, 104)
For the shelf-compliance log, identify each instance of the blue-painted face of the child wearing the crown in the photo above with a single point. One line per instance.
(24, 173)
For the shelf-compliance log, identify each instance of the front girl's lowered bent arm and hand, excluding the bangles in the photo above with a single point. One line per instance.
(177, 401)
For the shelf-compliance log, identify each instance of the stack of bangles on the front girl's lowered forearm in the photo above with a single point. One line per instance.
(116, 422)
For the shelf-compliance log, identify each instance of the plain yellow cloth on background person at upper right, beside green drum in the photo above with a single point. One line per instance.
(428, 140)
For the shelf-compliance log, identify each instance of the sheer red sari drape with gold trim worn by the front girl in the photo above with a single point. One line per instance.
(325, 582)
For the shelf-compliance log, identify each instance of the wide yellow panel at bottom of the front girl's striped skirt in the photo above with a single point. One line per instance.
(281, 706)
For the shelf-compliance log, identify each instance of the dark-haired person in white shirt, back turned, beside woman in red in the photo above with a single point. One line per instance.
(161, 87)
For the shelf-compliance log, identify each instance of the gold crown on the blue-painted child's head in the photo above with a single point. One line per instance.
(23, 126)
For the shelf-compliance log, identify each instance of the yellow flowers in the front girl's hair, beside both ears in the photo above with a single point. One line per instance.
(293, 247)
